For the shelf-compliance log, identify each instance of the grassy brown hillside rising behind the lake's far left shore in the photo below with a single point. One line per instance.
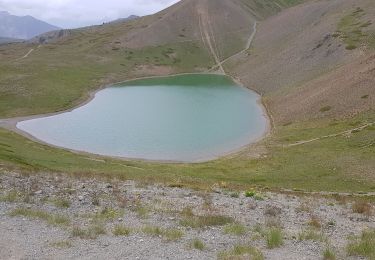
(190, 36)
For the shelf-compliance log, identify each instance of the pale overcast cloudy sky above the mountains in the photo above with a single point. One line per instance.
(77, 13)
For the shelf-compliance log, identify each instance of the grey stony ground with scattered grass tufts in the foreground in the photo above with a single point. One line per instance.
(57, 217)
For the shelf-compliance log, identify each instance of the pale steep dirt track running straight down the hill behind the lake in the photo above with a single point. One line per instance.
(207, 32)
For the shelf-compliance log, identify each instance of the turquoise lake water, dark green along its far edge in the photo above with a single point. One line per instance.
(186, 118)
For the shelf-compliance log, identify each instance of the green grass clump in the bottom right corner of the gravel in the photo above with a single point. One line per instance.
(363, 245)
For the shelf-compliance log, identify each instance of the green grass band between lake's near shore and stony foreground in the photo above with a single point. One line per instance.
(334, 164)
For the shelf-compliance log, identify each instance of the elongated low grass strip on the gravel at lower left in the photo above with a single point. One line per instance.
(52, 219)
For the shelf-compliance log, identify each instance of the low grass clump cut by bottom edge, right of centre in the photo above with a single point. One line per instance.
(241, 252)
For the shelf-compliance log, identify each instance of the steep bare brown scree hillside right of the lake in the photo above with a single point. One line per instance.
(297, 56)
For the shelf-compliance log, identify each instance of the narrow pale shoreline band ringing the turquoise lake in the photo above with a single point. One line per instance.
(11, 124)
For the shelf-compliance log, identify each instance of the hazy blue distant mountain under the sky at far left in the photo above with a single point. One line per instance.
(22, 27)
